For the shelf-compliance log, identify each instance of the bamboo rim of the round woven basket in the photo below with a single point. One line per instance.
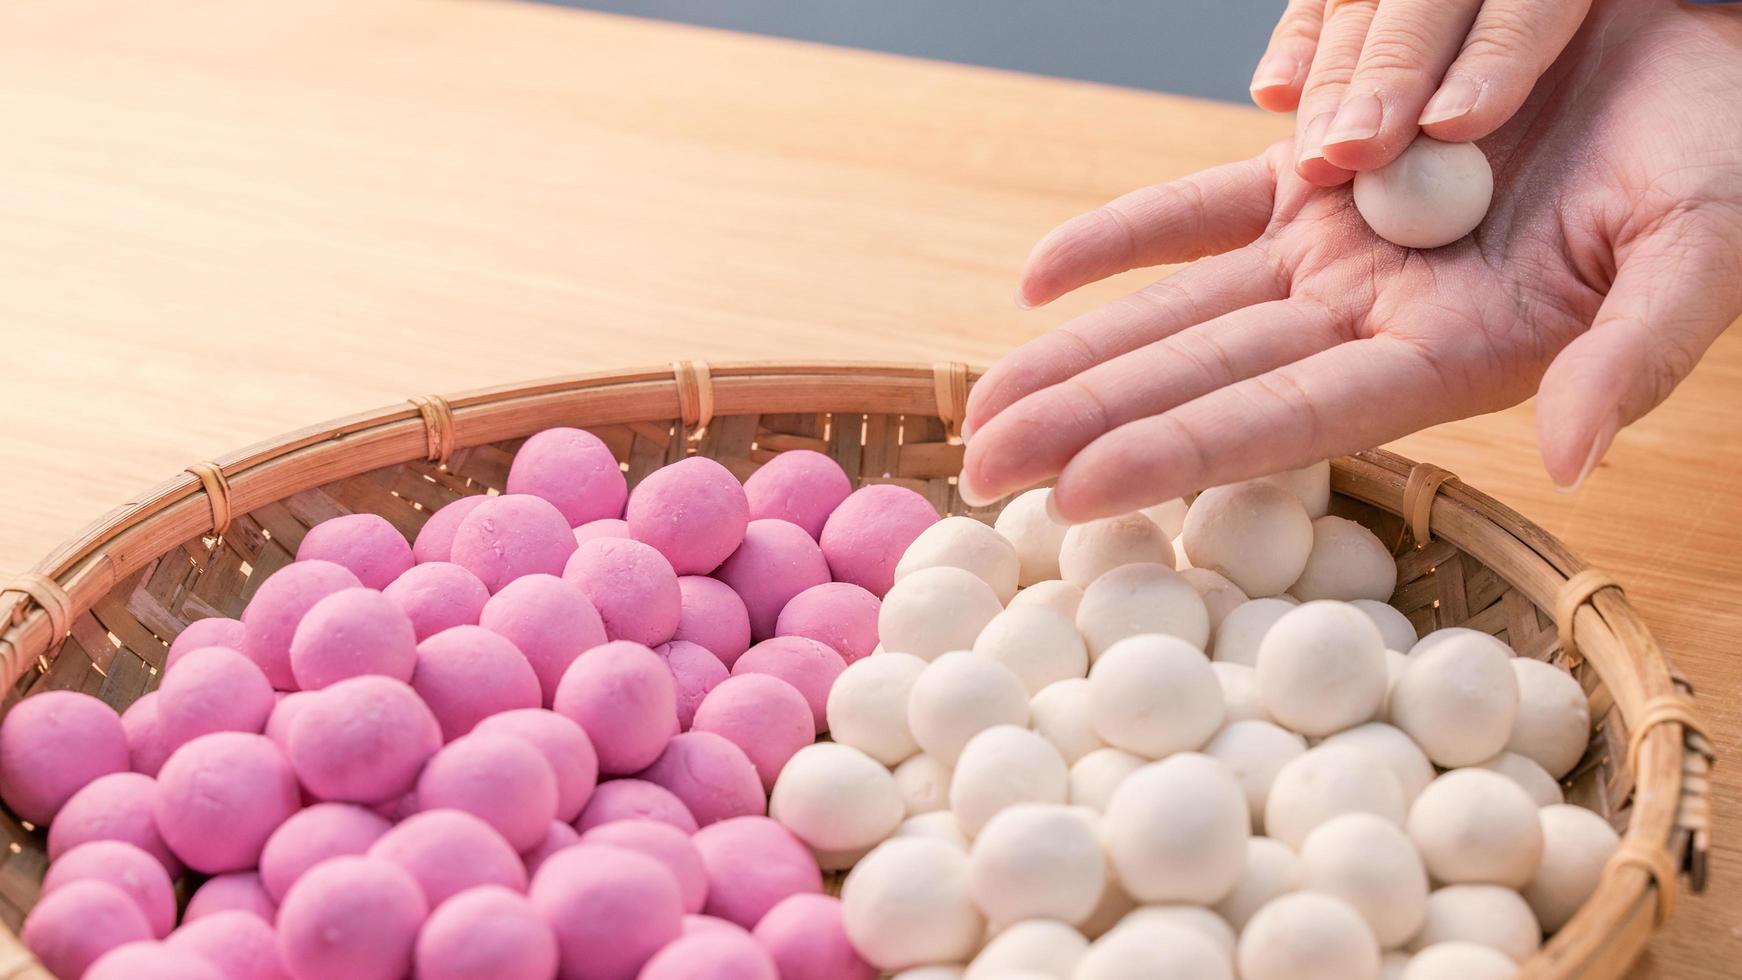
(1609, 930)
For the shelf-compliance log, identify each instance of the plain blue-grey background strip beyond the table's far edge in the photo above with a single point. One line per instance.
(1196, 48)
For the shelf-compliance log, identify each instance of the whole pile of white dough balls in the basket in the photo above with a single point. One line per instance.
(1191, 744)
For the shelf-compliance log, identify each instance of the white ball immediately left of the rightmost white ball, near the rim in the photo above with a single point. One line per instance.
(1478, 828)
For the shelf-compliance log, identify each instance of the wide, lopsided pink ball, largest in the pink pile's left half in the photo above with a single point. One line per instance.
(363, 741)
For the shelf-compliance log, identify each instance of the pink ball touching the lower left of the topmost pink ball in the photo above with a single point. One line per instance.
(510, 537)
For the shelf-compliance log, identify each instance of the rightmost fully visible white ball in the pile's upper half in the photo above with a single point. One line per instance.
(1457, 701)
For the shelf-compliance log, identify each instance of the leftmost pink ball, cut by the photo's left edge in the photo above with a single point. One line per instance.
(53, 746)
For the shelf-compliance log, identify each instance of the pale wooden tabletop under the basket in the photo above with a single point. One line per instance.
(222, 220)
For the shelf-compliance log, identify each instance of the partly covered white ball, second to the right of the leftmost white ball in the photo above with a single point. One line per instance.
(1003, 767)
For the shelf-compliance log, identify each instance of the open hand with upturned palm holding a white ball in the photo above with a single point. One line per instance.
(1609, 262)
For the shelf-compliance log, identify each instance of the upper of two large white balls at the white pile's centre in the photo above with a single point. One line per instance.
(1154, 695)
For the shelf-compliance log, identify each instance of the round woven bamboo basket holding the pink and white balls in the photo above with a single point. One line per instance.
(98, 614)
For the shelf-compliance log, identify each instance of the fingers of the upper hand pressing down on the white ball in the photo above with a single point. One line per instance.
(1368, 76)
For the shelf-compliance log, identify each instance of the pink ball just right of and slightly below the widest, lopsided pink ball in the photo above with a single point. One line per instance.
(499, 779)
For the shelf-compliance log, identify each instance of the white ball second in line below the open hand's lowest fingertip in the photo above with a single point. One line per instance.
(1137, 600)
